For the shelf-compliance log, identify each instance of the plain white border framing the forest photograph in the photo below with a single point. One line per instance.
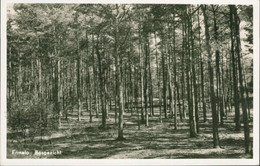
(254, 161)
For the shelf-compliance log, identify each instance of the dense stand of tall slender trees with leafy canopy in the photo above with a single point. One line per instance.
(186, 60)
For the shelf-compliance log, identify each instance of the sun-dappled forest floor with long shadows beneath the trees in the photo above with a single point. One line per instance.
(84, 140)
